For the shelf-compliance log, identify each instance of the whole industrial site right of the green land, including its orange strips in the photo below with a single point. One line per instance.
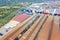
(39, 21)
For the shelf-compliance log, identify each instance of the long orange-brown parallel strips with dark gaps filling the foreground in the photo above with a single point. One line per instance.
(37, 27)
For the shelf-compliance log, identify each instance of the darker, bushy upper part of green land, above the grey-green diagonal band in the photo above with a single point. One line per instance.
(5, 12)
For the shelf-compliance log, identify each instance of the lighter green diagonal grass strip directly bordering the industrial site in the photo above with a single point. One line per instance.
(9, 17)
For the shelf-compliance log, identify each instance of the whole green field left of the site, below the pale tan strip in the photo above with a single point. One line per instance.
(7, 14)
